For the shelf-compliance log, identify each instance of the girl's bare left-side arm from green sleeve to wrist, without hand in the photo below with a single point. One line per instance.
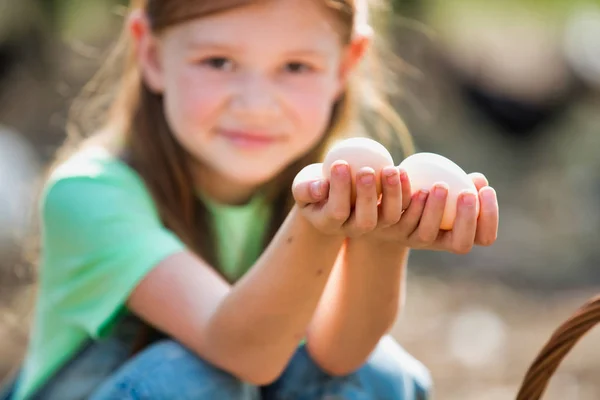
(258, 321)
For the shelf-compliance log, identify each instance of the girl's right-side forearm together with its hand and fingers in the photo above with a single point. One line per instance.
(367, 285)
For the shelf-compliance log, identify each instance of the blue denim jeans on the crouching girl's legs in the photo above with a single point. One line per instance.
(167, 370)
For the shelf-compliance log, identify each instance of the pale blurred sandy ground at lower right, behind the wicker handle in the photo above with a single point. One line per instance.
(478, 339)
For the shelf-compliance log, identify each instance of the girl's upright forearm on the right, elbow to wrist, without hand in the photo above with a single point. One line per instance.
(359, 305)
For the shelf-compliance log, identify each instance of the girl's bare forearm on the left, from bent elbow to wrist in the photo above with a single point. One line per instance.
(265, 315)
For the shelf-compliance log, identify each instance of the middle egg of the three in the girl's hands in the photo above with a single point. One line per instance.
(359, 152)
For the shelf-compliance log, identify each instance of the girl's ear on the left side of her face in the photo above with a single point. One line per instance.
(147, 50)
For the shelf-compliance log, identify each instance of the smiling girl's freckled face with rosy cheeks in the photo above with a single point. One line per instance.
(248, 91)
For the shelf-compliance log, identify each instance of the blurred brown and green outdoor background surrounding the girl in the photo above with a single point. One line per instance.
(509, 88)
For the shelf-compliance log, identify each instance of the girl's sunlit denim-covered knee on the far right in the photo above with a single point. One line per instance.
(396, 369)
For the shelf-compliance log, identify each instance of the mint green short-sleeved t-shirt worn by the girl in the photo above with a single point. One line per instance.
(101, 234)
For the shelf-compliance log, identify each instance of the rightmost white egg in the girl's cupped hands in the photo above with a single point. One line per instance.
(426, 169)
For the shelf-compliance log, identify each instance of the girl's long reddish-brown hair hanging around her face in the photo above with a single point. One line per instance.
(128, 117)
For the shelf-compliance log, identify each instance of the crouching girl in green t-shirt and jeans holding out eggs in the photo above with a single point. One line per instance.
(191, 212)
